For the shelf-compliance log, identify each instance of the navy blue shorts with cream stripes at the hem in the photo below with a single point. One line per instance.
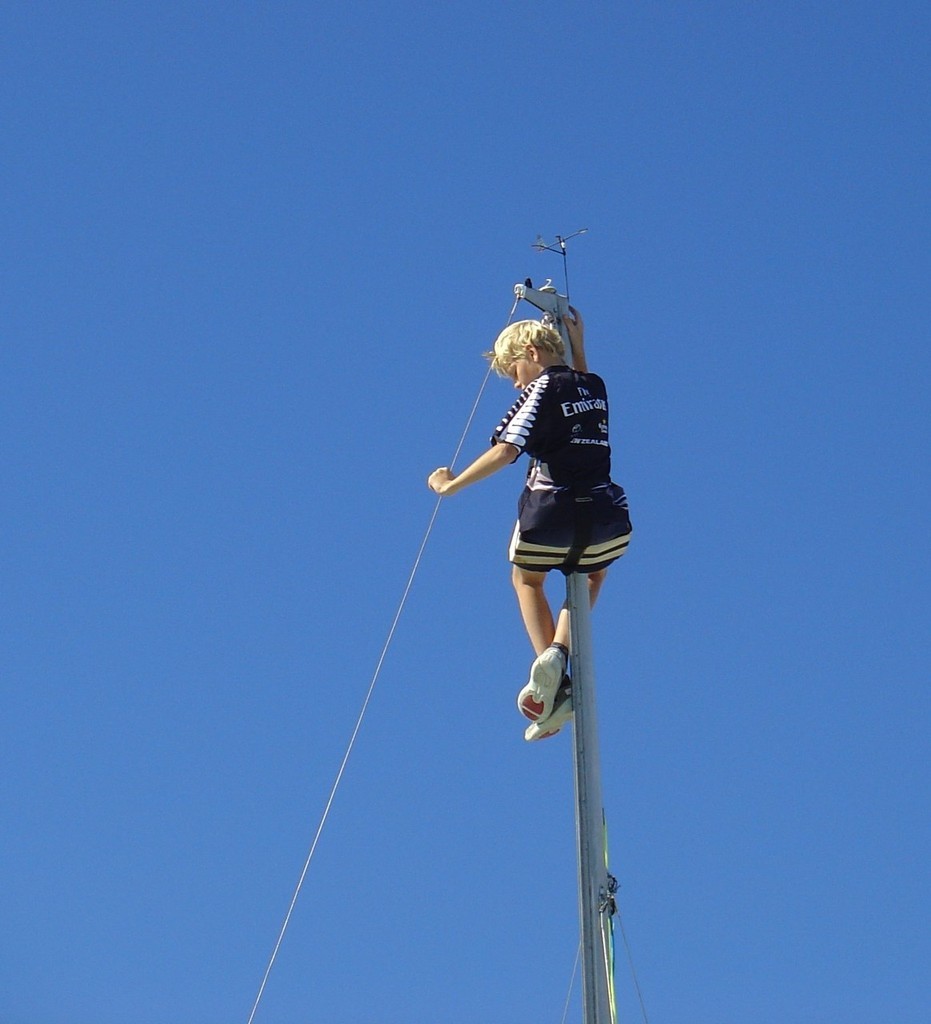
(574, 533)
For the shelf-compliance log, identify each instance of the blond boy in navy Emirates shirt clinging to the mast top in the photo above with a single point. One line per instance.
(571, 517)
